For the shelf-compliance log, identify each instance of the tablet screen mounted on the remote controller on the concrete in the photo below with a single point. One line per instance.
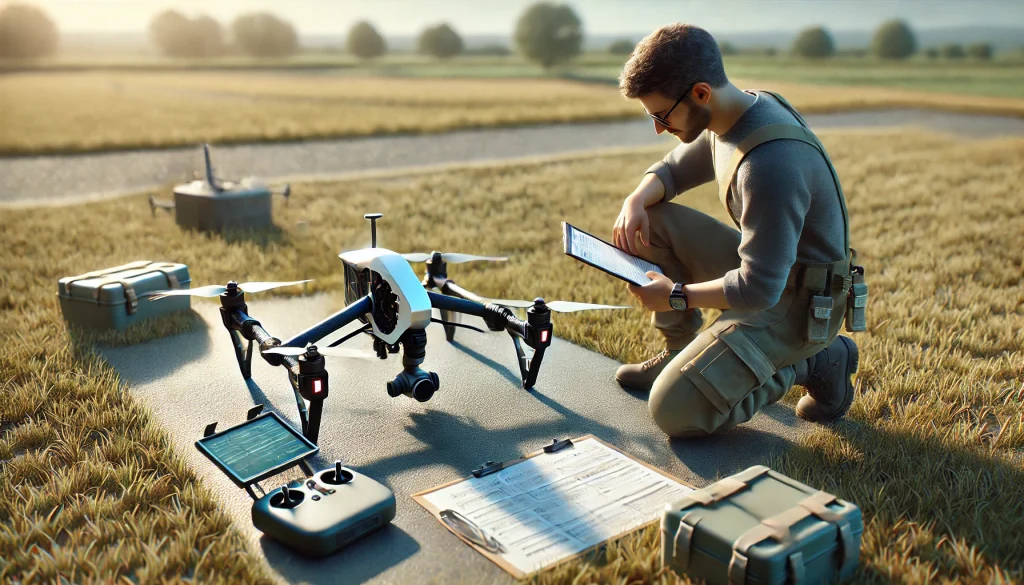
(257, 449)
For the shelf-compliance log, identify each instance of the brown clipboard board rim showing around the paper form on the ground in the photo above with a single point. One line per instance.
(493, 550)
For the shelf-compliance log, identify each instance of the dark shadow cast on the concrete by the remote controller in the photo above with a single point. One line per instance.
(358, 563)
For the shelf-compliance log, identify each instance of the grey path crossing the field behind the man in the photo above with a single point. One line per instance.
(29, 182)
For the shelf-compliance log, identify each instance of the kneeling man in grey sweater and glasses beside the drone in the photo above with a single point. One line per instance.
(783, 280)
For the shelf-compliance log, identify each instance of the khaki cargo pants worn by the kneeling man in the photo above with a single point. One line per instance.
(743, 361)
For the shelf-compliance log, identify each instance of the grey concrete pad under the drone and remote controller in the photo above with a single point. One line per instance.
(481, 413)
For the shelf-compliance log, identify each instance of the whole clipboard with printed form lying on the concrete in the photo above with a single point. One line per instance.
(552, 506)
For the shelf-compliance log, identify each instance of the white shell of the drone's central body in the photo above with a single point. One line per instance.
(414, 310)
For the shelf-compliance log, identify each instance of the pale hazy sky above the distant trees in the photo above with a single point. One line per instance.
(499, 17)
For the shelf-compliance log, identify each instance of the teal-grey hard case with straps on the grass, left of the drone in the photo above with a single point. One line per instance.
(115, 299)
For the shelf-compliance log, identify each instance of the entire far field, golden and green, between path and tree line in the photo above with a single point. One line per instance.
(74, 112)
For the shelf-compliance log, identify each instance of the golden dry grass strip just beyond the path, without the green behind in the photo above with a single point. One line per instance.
(96, 111)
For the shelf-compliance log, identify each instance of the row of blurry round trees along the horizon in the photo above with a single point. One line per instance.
(545, 33)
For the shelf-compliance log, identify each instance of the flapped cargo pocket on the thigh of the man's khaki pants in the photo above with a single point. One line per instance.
(729, 369)
